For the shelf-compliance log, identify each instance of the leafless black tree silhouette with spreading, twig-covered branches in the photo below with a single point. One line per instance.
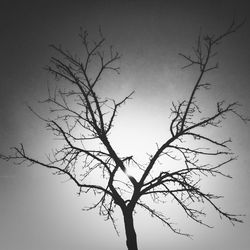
(83, 121)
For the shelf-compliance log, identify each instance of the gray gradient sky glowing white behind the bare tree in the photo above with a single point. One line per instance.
(40, 211)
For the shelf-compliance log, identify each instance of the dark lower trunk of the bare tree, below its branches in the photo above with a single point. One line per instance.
(130, 230)
